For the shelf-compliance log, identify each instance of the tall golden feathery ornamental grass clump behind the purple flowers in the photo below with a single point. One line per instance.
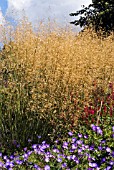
(46, 81)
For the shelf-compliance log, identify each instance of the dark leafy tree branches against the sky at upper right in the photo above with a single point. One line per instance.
(99, 15)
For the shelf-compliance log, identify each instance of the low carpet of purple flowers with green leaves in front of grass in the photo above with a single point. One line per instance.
(85, 149)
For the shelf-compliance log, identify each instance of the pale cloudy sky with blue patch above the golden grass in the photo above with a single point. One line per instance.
(41, 10)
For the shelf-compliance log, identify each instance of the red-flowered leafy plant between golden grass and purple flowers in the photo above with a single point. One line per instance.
(100, 108)
